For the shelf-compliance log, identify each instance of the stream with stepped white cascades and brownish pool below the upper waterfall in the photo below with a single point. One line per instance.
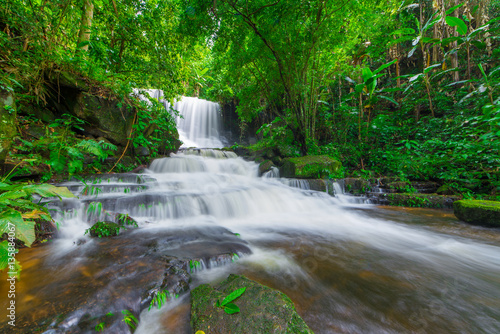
(348, 269)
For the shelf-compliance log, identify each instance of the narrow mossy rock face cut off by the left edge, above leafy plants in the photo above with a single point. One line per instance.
(8, 121)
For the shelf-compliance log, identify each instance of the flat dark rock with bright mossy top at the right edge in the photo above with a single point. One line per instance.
(485, 213)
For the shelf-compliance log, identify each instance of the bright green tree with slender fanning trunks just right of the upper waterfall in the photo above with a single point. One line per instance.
(289, 49)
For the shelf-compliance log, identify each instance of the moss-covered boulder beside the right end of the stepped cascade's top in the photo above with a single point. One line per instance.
(310, 167)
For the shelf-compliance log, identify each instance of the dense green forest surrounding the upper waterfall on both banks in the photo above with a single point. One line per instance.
(389, 88)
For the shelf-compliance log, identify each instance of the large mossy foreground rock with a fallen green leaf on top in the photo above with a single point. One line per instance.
(262, 309)
